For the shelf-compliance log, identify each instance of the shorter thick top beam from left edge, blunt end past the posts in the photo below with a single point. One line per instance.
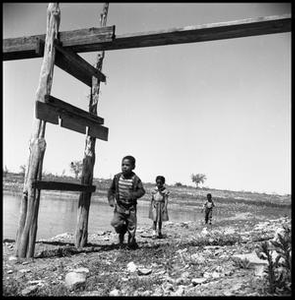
(25, 47)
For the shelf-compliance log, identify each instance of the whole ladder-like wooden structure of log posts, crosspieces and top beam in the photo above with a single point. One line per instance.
(61, 49)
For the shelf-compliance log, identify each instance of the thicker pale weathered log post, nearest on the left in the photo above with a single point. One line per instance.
(28, 220)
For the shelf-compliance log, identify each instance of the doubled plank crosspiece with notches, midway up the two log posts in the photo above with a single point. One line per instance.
(72, 117)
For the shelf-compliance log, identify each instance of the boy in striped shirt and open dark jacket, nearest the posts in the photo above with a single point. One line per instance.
(123, 193)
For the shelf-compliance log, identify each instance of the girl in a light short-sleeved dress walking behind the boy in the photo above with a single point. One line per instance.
(158, 208)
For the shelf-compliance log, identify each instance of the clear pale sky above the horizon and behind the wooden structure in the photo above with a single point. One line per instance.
(220, 108)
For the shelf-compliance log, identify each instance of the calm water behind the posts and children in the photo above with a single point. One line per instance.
(59, 214)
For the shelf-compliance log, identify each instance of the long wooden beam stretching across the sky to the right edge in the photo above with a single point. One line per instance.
(201, 33)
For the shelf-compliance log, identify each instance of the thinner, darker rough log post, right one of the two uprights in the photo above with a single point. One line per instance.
(89, 153)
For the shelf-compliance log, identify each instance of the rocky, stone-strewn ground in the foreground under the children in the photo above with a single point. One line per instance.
(190, 260)
